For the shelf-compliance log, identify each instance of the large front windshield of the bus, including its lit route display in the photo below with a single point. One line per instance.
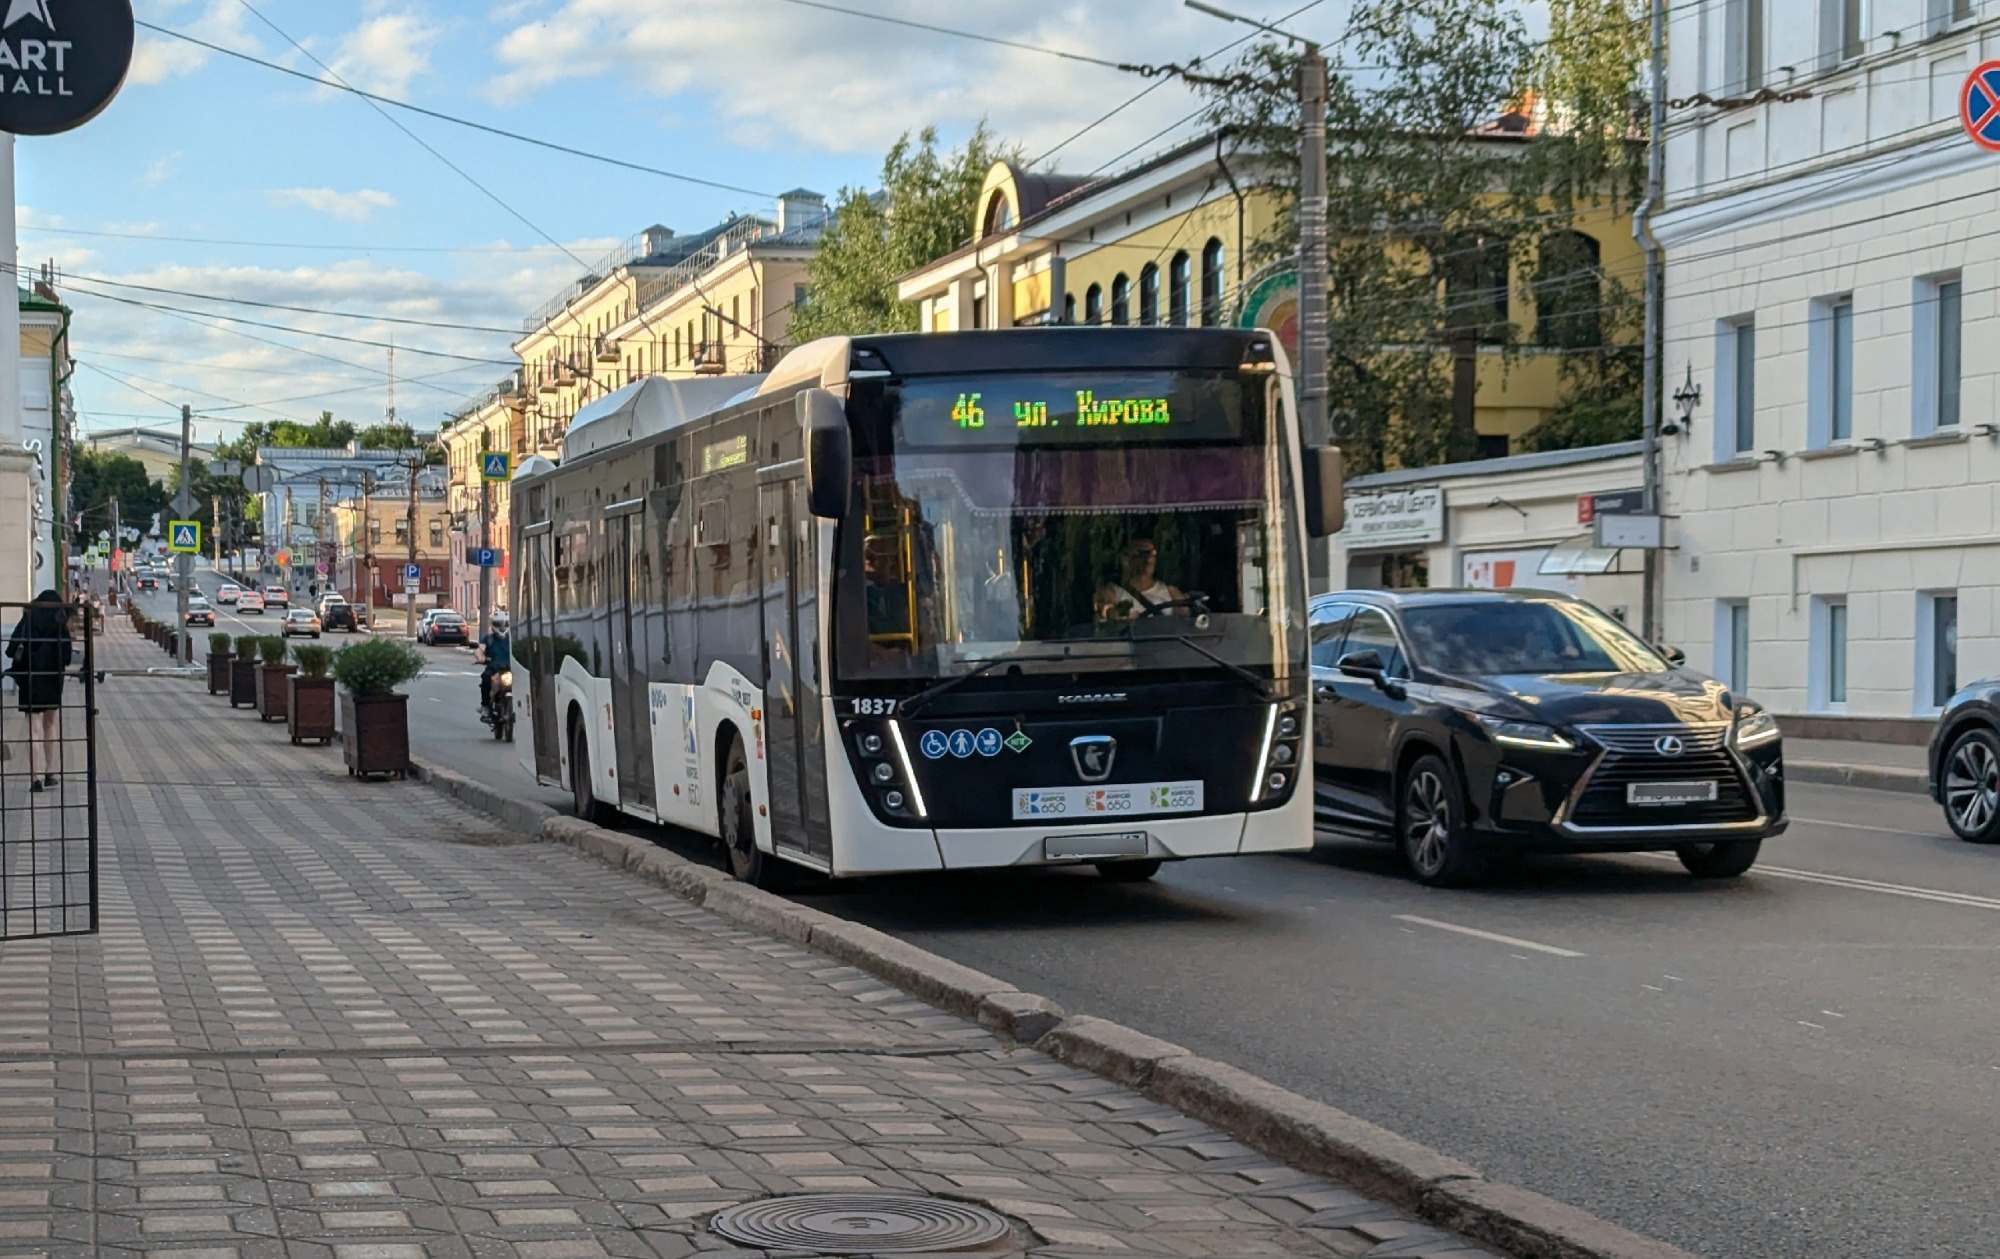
(1075, 521)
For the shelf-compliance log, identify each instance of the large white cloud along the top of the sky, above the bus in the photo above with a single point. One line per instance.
(777, 75)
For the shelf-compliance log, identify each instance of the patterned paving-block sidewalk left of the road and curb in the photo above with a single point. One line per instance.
(357, 1022)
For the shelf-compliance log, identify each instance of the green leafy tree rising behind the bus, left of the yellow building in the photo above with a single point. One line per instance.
(923, 213)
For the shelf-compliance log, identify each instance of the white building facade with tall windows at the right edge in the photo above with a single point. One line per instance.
(1833, 253)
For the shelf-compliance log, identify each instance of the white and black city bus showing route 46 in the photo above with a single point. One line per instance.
(935, 603)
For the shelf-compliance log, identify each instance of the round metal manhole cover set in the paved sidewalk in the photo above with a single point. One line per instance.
(859, 1224)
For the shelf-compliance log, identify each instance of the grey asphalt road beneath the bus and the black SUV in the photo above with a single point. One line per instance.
(1803, 1064)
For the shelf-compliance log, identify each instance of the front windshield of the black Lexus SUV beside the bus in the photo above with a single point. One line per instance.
(1493, 638)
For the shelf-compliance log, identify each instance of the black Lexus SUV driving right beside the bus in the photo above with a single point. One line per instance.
(1467, 726)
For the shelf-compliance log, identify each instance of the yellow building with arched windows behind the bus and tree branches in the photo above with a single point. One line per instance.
(1165, 245)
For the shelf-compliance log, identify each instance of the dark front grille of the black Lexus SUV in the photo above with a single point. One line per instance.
(1631, 756)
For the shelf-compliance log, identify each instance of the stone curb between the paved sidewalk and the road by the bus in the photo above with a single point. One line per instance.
(1285, 1126)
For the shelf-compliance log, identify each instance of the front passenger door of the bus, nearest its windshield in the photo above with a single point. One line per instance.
(787, 676)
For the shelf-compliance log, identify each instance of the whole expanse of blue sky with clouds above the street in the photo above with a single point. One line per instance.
(763, 95)
